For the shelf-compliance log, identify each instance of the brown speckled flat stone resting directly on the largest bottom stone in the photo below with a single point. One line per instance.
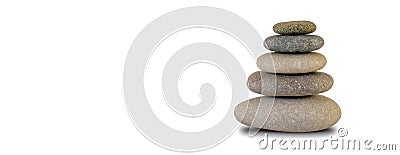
(289, 85)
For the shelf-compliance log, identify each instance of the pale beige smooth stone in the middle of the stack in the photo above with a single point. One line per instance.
(291, 63)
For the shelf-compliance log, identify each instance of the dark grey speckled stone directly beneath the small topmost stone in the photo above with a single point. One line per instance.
(293, 43)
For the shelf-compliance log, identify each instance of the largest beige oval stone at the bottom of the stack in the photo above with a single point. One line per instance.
(289, 114)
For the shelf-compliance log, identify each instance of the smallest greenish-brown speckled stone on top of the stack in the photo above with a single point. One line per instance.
(294, 27)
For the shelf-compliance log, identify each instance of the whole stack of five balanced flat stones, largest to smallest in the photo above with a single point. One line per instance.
(290, 82)
